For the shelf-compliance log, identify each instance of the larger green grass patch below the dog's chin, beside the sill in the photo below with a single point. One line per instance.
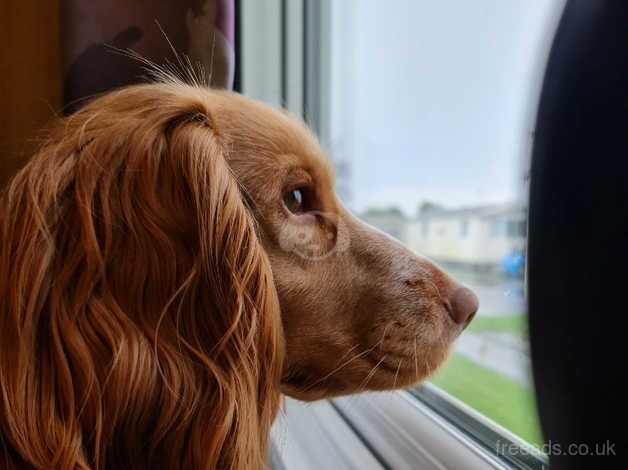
(498, 397)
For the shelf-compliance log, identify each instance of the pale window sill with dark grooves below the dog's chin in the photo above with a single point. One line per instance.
(392, 430)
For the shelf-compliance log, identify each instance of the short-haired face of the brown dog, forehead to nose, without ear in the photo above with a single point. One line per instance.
(359, 310)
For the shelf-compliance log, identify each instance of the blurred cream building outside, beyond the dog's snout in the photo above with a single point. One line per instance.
(479, 237)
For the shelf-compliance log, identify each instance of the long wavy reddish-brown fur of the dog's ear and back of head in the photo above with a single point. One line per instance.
(139, 325)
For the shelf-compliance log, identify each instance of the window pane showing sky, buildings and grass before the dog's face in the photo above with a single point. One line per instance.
(433, 104)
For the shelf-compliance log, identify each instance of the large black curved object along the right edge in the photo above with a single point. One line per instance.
(578, 240)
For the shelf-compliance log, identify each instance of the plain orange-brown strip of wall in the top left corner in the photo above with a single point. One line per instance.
(30, 76)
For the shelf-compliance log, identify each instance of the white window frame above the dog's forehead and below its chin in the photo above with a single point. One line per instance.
(285, 61)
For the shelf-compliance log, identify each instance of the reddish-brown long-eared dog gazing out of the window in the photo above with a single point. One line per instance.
(174, 259)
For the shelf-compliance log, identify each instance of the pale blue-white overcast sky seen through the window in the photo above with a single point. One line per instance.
(436, 99)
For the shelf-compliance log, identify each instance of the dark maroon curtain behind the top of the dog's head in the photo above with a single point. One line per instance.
(96, 34)
